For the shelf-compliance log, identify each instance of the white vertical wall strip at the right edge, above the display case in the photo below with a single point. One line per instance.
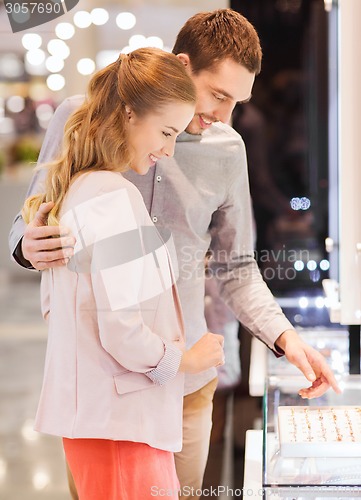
(349, 81)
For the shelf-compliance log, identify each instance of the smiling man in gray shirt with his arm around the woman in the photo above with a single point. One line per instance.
(202, 197)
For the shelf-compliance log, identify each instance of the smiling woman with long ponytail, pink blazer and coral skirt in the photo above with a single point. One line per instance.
(113, 381)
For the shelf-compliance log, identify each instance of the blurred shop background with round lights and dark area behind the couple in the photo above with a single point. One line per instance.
(286, 129)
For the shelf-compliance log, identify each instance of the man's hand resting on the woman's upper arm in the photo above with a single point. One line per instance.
(46, 246)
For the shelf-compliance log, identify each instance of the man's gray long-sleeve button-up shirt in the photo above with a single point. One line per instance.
(202, 197)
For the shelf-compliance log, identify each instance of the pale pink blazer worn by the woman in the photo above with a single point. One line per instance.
(115, 325)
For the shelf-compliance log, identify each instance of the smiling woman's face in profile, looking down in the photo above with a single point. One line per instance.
(153, 136)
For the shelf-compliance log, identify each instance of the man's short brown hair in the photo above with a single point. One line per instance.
(210, 37)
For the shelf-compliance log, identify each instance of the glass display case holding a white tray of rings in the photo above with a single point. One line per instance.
(331, 475)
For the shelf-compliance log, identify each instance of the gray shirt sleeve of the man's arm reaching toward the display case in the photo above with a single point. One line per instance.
(239, 279)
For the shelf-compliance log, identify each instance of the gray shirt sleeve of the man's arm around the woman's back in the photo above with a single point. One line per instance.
(49, 150)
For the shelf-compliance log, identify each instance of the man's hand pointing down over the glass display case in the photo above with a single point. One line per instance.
(310, 362)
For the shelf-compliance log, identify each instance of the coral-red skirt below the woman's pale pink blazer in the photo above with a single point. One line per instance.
(120, 470)
